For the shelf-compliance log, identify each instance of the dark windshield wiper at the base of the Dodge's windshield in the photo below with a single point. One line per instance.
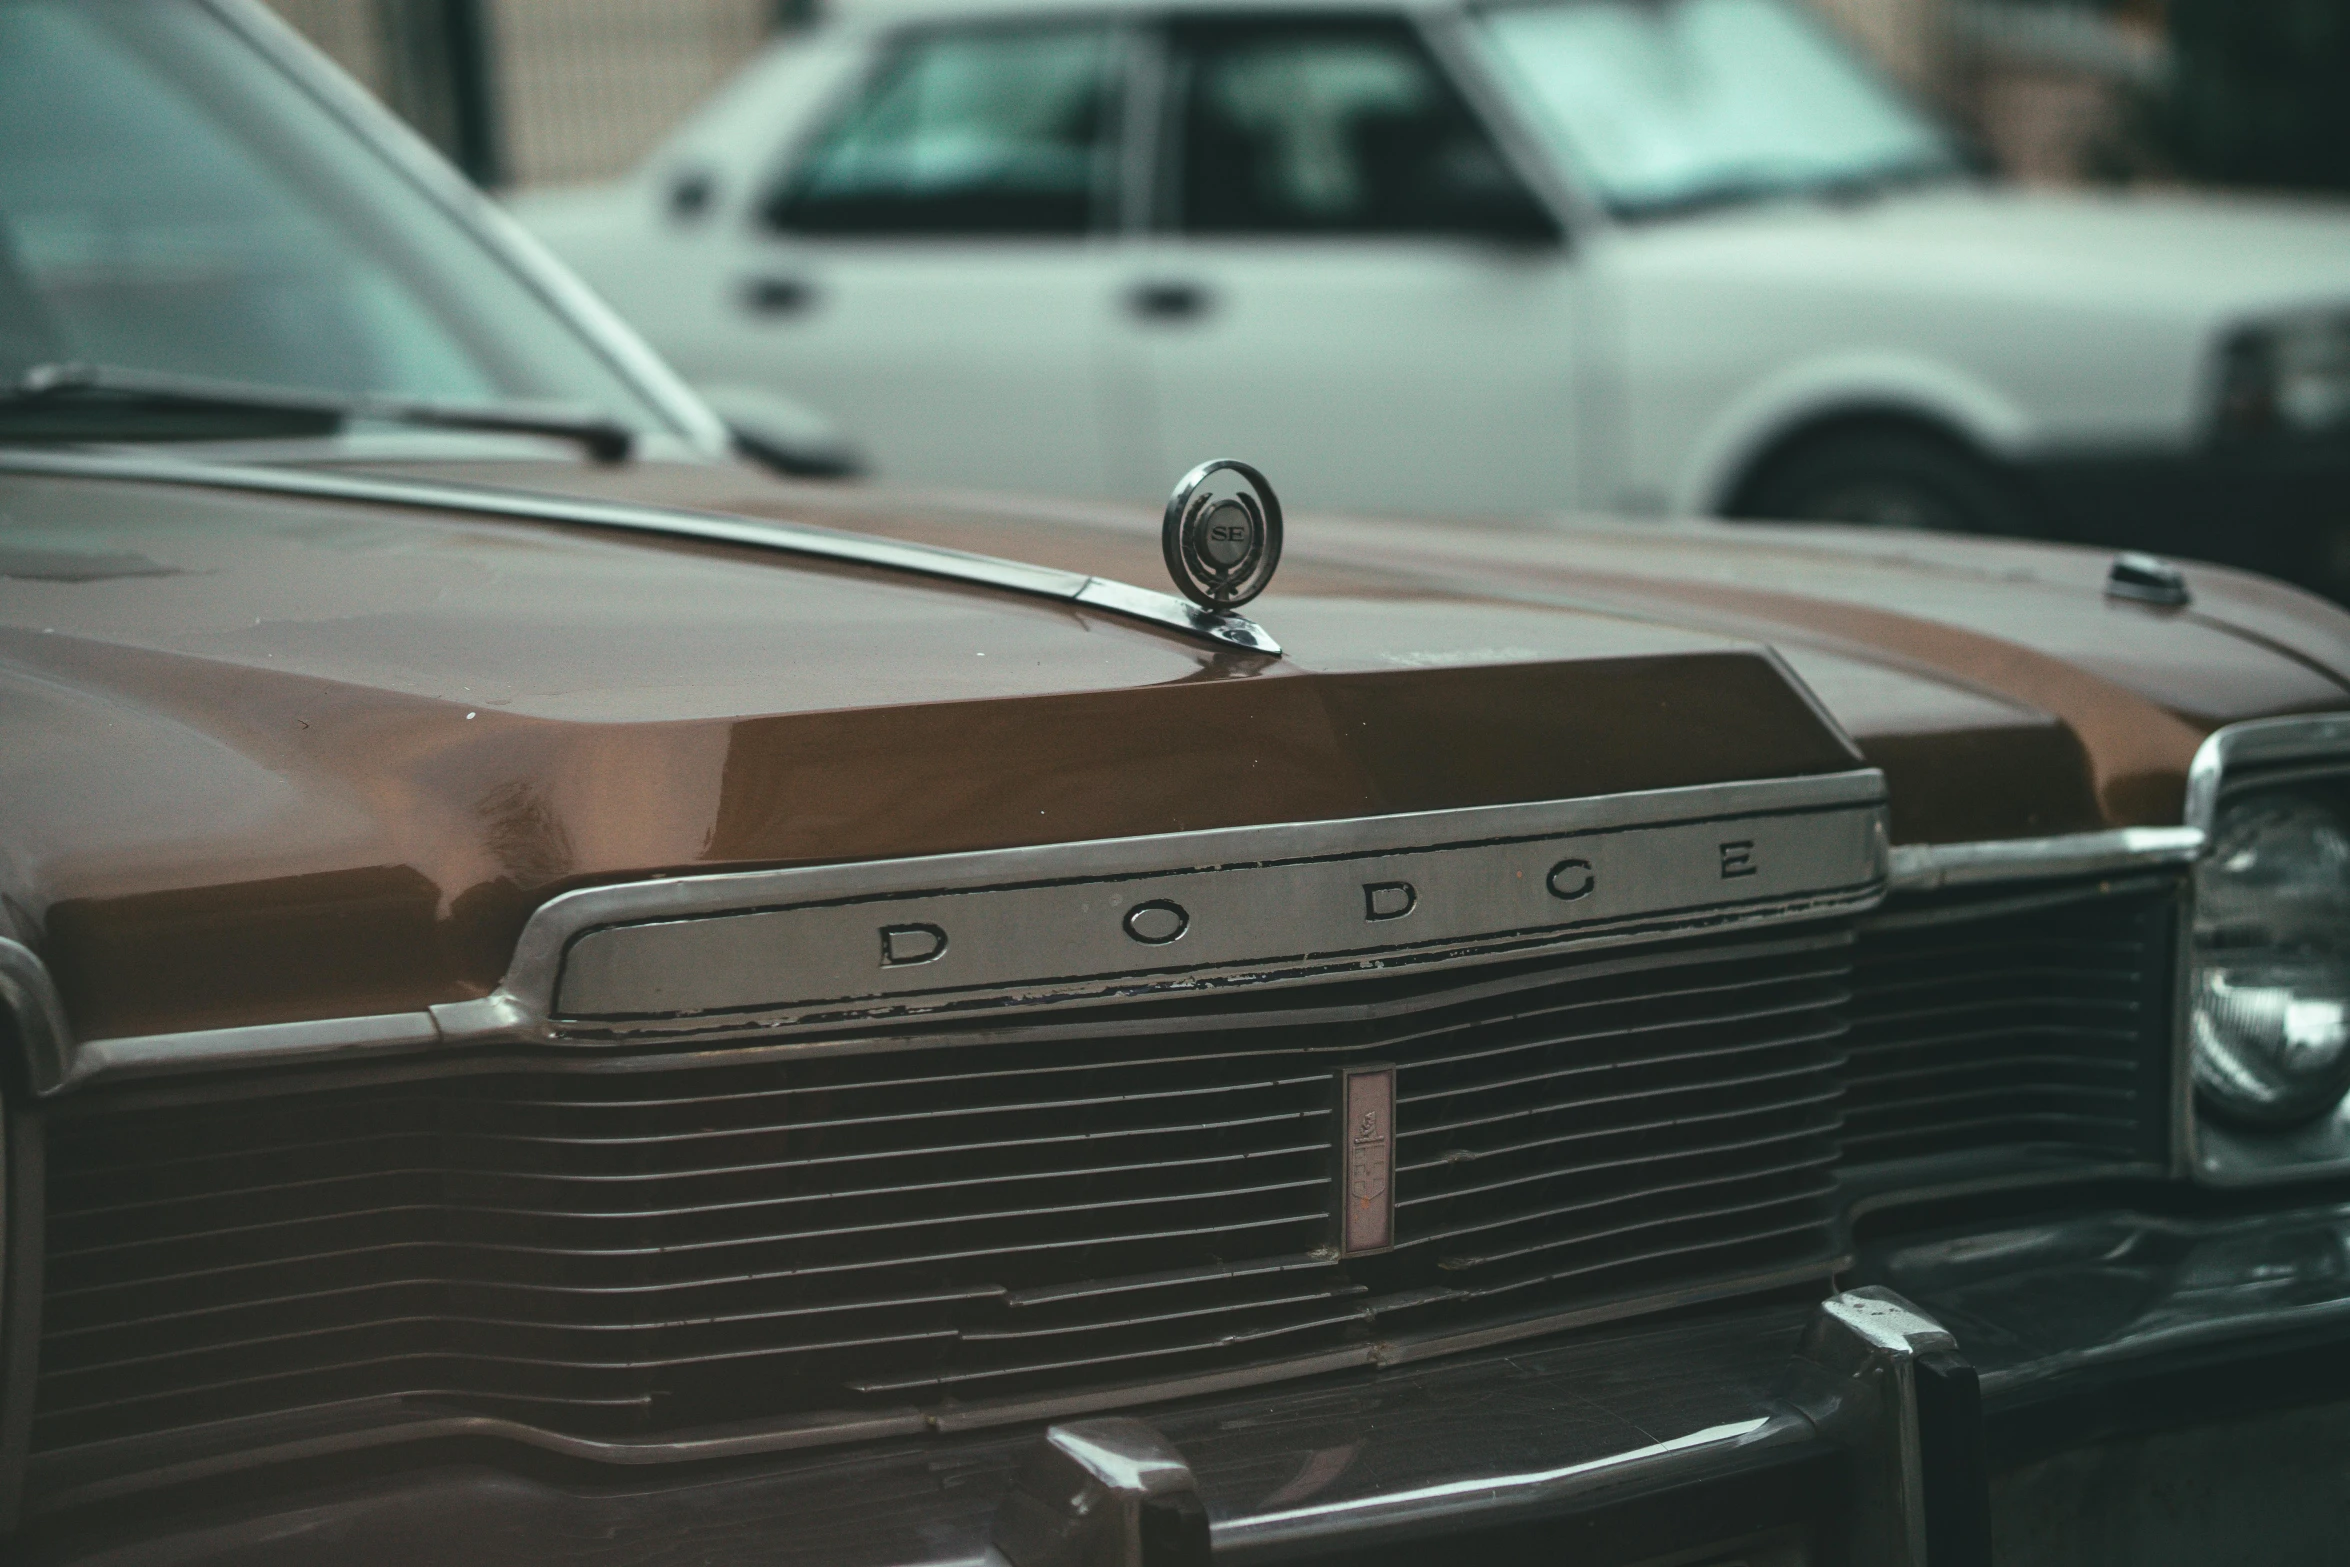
(93, 403)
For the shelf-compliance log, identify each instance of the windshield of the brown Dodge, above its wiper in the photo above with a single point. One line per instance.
(173, 203)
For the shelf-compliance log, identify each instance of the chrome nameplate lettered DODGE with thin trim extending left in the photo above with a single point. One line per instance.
(798, 957)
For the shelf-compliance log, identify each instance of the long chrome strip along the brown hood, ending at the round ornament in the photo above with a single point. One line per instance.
(673, 523)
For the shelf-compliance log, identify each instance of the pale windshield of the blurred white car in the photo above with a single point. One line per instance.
(1674, 105)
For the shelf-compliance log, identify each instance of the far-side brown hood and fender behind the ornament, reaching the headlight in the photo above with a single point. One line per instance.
(1992, 680)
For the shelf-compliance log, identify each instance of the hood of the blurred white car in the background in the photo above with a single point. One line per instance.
(2198, 257)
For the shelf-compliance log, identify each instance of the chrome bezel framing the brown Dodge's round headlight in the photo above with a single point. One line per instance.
(2241, 767)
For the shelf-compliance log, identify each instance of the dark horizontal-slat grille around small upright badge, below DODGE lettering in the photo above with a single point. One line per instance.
(659, 1244)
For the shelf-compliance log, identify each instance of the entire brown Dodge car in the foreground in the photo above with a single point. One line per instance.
(572, 1002)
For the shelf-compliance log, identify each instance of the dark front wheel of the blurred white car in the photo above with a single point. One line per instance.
(1886, 480)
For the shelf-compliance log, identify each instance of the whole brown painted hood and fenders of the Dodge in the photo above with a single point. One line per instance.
(304, 755)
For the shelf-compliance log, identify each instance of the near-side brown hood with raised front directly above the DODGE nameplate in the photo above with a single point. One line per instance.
(323, 760)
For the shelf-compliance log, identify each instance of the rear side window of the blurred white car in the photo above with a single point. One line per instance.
(969, 133)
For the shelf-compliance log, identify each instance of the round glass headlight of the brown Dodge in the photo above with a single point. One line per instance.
(2271, 990)
